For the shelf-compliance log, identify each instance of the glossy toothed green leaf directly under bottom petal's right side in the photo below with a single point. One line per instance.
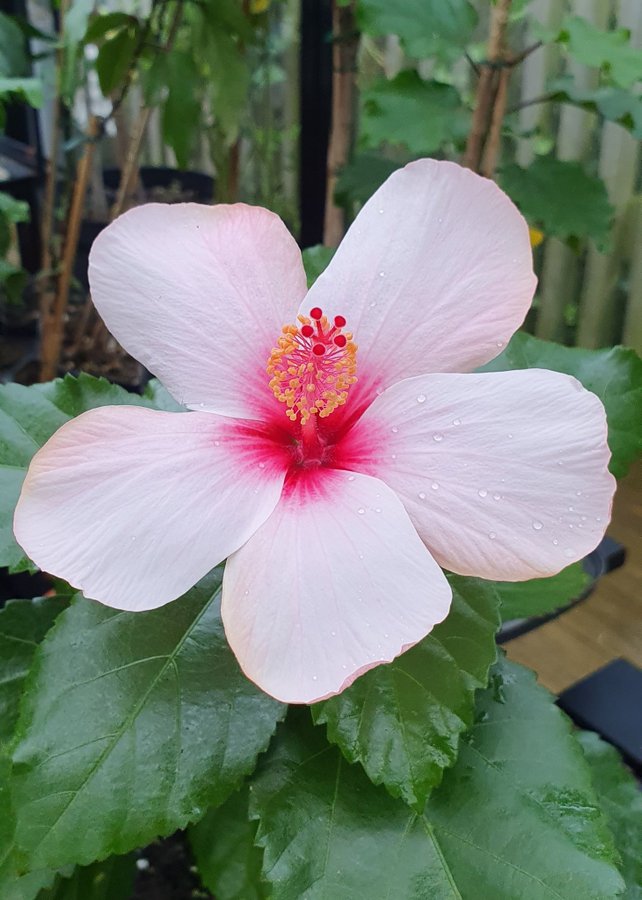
(403, 721)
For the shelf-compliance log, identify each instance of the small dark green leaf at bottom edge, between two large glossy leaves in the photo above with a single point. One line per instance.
(223, 845)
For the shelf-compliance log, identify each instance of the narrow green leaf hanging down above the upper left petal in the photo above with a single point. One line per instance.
(181, 120)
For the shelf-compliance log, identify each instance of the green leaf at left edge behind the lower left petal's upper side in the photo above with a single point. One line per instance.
(28, 418)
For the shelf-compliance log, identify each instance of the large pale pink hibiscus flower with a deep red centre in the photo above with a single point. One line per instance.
(333, 452)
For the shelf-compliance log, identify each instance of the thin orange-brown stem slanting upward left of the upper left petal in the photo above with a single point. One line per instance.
(53, 325)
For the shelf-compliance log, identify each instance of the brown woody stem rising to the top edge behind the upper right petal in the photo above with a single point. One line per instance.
(488, 88)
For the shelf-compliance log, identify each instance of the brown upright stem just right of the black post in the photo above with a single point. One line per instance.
(344, 91)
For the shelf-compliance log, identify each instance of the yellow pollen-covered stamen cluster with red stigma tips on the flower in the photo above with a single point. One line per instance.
(312, 366)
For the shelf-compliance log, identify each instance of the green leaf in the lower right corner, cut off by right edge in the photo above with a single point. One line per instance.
(620, 797)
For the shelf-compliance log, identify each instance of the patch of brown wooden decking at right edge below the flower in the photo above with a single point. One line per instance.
(609, 623)
